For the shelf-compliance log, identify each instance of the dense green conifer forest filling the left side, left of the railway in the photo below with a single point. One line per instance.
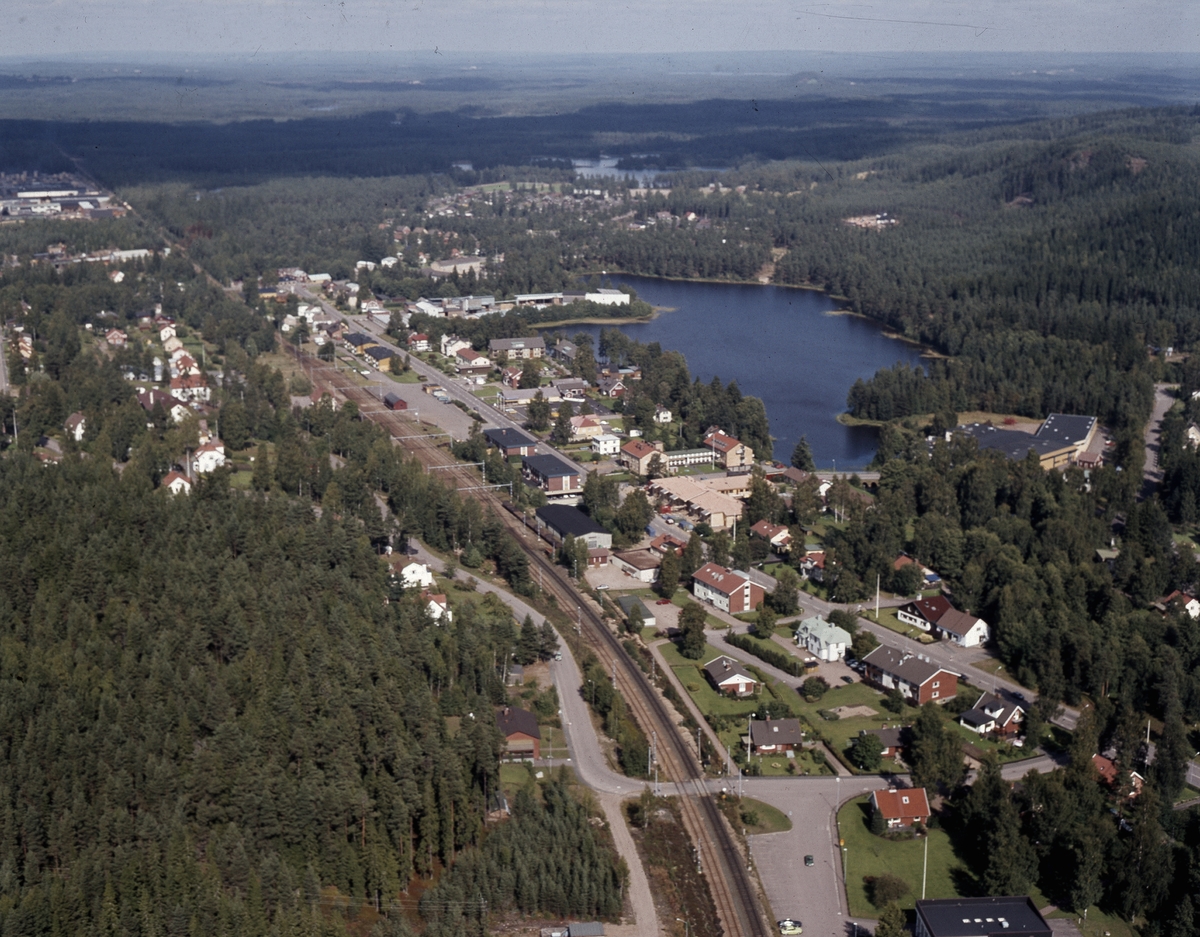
(221, 714)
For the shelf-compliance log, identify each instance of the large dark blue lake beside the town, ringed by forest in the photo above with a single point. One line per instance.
(781, 345)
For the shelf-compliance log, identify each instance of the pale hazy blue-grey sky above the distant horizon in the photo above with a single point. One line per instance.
(238, 29)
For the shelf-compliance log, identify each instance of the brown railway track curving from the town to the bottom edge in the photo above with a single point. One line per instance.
(721, 858)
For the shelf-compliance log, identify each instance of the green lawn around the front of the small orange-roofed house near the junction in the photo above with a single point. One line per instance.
(867, 855)
